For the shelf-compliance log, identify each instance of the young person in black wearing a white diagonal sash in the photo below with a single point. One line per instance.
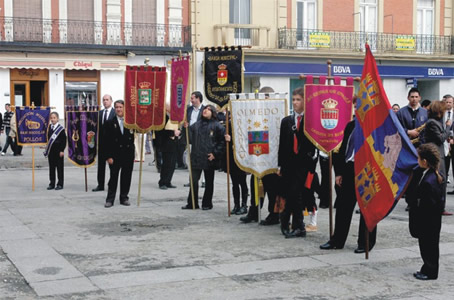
(55, 151)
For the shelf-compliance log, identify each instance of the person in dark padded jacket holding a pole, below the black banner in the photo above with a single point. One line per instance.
(208, 143)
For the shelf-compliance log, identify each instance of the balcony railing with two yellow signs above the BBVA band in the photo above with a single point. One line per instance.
(354, 42)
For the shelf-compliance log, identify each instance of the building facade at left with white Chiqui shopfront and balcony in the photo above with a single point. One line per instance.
(62, 52)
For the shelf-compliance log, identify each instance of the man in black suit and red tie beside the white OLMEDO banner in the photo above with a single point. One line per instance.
(296, 159)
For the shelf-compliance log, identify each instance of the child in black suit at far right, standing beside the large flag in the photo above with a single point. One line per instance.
(425, 204)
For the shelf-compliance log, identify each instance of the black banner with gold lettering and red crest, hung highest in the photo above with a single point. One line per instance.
(223, 73)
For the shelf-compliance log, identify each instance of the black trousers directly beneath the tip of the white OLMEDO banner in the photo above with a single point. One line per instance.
(270, 182)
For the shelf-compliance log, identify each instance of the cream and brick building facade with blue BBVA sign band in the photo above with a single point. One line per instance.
(411, 40)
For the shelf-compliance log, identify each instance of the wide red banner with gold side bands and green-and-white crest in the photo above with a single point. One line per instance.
(145, 98)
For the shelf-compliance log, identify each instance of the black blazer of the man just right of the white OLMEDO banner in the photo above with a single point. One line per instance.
(290, 162)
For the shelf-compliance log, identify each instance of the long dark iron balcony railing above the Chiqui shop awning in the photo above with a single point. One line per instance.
(98, 33)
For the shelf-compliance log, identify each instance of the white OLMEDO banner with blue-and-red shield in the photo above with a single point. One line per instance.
(255, 133)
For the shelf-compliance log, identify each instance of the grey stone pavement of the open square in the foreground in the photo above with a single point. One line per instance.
(66, 245)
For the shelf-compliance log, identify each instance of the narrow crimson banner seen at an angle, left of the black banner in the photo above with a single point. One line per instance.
(179, 89)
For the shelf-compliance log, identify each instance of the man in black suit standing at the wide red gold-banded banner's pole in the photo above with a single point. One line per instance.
(120, 156)
